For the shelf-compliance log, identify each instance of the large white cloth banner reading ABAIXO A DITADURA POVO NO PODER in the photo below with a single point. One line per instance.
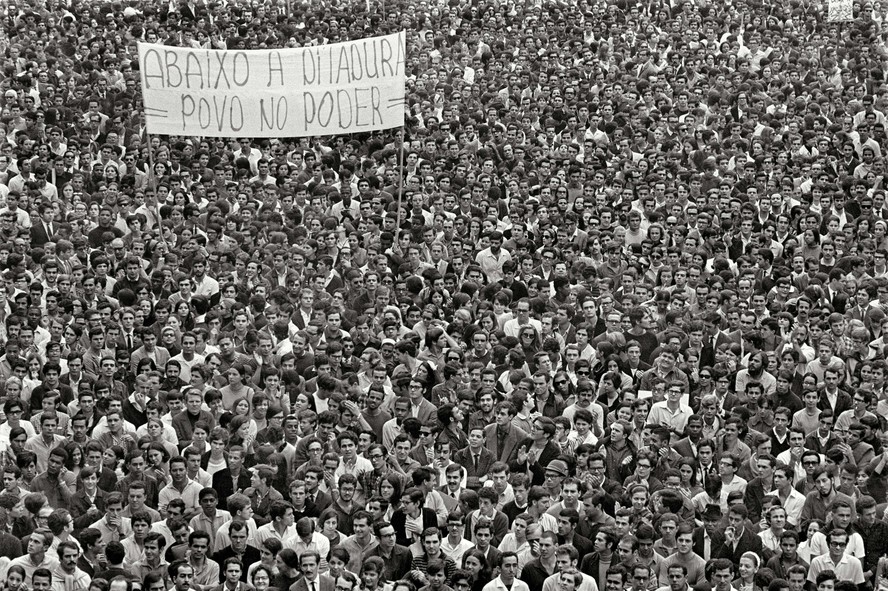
(329, 89)
